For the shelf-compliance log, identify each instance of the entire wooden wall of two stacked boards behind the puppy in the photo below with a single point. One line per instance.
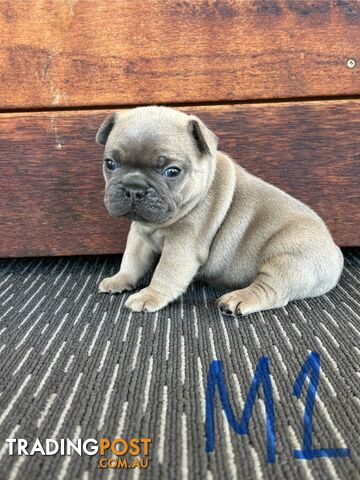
(278, 80)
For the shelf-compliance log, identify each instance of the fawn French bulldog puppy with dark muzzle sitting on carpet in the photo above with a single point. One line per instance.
(197, 214)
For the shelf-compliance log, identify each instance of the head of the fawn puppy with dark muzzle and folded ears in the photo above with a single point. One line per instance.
(157, 162)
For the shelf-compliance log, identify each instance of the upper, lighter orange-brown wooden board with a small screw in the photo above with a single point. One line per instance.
(117, 52)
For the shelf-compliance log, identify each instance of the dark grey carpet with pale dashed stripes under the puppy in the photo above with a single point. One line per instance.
(75, 363)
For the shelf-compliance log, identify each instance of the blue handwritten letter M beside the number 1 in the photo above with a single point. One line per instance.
(216, 380)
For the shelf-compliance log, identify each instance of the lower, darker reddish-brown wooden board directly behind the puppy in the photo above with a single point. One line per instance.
(51, 184)
